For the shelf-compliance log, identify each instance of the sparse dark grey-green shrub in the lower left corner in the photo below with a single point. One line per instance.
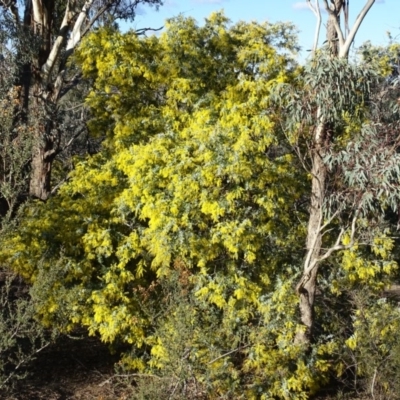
(21, 336)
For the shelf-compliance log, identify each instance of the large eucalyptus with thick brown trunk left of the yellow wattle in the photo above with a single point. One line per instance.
(42, 35)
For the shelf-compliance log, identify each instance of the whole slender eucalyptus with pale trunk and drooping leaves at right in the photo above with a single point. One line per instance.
(336, 99)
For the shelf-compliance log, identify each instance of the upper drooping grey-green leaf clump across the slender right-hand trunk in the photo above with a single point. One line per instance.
(332, 86)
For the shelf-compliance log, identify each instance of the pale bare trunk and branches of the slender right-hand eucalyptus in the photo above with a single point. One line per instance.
(307, 286)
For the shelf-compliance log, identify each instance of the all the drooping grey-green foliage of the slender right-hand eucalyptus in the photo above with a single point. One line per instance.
(364, 163)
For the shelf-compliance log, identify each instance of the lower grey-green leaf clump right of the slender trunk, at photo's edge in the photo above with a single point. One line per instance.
(369, 167)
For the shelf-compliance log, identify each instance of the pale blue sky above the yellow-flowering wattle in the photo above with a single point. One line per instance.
(384, 16)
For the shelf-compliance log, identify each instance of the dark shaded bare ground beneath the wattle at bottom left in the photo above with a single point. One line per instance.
(70, 369)
